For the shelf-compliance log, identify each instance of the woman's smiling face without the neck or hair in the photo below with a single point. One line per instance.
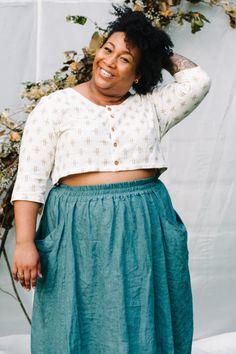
(115, 66)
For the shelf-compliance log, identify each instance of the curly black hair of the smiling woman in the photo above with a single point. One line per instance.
(154, 44)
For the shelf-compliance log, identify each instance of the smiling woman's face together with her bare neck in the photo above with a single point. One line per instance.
(115, 69)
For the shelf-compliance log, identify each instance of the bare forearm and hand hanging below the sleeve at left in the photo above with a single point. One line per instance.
(26, 259)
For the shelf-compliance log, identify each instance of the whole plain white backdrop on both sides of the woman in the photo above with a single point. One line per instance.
(200, 150)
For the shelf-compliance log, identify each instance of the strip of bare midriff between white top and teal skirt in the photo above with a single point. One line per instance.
(91, 178)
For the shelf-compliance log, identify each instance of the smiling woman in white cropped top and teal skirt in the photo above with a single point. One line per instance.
(110, 257)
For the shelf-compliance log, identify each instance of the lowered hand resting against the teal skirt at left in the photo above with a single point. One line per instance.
(26, 264)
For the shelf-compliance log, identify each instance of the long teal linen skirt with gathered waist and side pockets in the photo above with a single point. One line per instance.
(115, 272)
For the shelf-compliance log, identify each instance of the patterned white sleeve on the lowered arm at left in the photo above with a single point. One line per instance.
(37, 152)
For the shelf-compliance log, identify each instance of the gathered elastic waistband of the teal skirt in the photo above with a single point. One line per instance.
(108, 188)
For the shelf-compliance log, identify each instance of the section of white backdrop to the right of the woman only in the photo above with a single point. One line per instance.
(201, 178)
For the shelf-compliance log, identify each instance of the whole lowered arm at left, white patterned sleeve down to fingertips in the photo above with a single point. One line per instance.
(36, 158)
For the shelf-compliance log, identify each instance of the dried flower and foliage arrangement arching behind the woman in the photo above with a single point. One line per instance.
(77, 69)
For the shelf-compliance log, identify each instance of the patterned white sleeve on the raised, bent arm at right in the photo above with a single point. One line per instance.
(174, 101)
